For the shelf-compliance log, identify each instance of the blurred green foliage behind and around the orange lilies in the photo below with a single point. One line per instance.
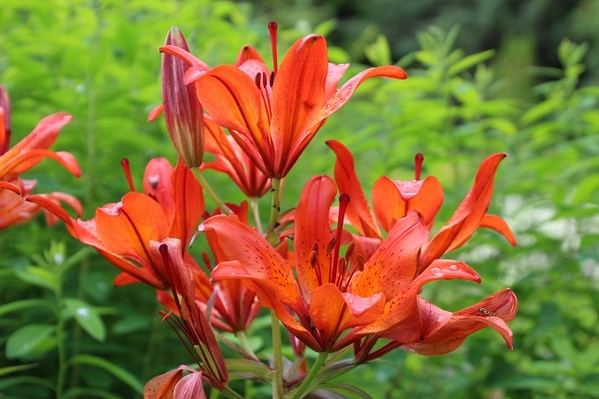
(484, 77)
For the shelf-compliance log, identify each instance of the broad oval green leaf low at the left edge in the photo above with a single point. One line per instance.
(30, 341)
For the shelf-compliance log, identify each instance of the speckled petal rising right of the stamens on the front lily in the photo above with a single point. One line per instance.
(393, 266)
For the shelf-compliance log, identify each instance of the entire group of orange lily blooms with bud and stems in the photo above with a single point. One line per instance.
(336, 276)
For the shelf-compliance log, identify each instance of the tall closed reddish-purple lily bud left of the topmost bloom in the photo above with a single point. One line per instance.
(182, 110)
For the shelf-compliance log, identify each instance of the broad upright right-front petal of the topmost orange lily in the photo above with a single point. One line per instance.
(297, 98)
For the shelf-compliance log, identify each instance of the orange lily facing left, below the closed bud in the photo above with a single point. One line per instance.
(123, 232)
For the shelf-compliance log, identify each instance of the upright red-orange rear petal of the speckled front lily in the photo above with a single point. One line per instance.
(312, 226)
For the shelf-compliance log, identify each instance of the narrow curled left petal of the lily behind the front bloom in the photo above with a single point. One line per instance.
(358, 211)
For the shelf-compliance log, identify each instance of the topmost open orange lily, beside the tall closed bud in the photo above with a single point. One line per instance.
(274, 115)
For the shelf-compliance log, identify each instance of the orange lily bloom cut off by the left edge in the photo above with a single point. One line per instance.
(22, 157)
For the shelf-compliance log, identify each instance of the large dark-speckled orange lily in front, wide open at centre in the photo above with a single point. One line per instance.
(331, 293)
